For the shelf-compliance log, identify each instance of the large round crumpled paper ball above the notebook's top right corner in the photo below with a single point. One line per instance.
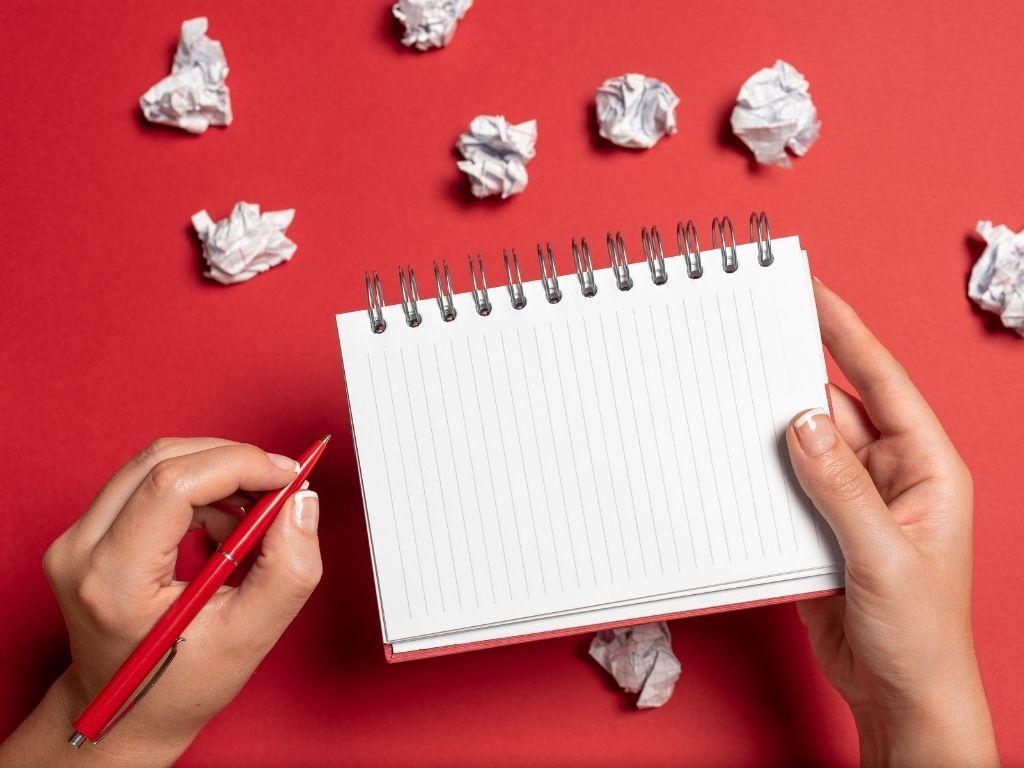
(775, 113)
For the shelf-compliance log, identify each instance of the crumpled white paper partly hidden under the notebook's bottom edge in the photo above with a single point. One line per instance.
(642, 661)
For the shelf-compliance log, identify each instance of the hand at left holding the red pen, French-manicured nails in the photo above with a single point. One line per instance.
(113, 574)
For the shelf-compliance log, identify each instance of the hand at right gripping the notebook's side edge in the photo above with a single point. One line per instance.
(899, 646)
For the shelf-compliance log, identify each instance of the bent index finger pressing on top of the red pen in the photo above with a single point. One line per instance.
(144, 539)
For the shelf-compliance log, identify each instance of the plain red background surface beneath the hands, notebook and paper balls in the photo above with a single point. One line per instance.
(111, 337)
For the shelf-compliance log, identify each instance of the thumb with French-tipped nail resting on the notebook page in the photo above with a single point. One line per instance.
(842, 491)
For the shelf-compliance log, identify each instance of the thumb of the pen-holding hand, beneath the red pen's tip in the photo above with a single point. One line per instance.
(284, 576)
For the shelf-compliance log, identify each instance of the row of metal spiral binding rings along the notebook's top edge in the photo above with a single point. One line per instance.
(723, 237)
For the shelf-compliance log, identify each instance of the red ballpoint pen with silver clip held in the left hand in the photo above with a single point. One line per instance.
(112, 705)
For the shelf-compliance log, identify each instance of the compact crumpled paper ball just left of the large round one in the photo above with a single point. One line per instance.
(635, 111)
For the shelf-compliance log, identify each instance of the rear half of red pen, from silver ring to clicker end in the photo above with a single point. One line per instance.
(158, 643)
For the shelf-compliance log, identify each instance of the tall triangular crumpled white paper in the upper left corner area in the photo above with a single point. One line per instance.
(195, 96)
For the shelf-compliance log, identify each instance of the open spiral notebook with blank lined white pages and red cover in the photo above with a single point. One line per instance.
(593, 449)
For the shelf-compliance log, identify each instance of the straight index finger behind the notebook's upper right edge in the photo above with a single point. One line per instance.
(890, 399)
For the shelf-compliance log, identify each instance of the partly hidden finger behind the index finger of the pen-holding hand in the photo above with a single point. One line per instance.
(98, 519)
